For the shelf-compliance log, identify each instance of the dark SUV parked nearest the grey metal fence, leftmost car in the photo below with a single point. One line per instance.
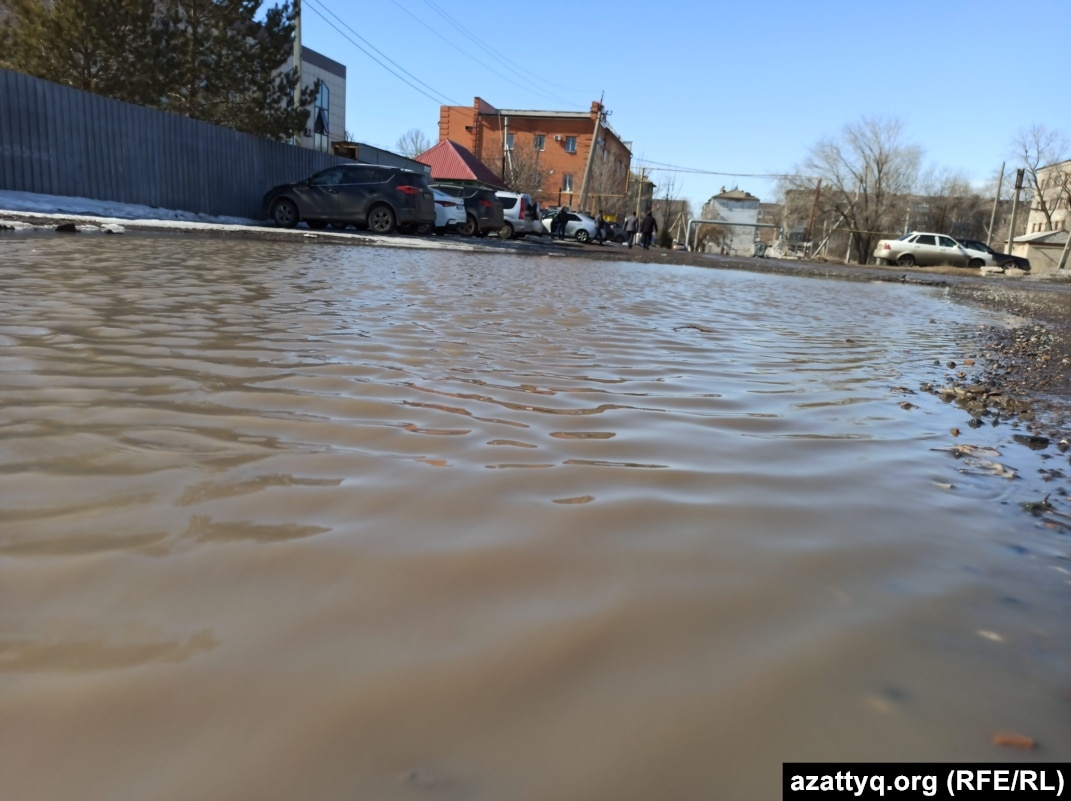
(367, 195)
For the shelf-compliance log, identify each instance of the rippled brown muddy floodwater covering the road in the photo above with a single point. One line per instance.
(311, 522)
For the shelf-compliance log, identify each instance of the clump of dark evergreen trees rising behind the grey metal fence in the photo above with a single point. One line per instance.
(213, 61)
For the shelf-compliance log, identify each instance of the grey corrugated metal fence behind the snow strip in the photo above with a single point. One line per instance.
(57, 141)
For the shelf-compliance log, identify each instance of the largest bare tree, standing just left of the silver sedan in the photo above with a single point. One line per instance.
(866, 173)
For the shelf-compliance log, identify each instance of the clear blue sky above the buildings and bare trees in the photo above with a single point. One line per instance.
(737, 88)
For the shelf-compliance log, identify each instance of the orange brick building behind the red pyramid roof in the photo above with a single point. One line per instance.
(571, 159)
